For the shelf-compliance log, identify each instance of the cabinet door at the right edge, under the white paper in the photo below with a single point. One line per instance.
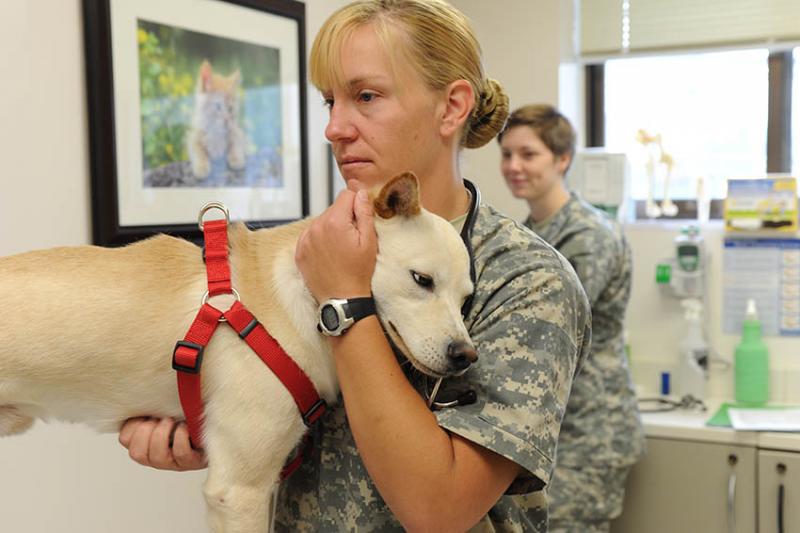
(778, 492)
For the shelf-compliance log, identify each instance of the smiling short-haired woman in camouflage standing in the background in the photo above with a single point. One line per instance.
(601, 435)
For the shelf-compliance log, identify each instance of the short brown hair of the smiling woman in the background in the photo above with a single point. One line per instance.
(553, 128)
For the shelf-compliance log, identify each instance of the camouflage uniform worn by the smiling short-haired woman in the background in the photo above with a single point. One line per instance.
(601, 435)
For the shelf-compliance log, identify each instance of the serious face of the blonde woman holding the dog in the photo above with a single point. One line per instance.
(382, 121)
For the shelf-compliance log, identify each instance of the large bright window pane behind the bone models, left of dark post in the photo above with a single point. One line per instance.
(710, 109)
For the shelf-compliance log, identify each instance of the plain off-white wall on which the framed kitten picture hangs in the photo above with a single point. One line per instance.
(59, 477)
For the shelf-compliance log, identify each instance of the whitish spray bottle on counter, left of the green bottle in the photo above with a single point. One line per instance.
(693, 369)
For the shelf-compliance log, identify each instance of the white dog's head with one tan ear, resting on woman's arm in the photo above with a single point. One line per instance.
(421, 280)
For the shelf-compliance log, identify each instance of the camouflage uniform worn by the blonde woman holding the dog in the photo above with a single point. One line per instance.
(530, 322)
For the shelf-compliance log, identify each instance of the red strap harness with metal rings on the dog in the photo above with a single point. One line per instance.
(187, 357)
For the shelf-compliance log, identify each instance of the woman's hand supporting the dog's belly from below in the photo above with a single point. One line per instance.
(162, 444)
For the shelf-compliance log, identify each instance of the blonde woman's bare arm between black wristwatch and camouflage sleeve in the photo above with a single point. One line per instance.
(427, 476)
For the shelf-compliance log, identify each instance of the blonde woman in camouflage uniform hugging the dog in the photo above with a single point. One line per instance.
(405, 87)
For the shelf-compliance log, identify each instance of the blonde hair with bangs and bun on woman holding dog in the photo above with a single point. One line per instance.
(434, 37)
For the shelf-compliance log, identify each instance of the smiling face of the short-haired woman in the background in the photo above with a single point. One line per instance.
(529, 167)
